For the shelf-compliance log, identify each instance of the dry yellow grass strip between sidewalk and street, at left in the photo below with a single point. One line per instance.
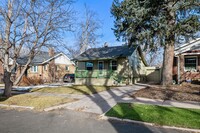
(38, 102)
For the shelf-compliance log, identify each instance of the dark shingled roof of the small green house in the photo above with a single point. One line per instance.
(105, 53)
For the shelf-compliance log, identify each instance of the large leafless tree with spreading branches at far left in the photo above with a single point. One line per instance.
(30, 24)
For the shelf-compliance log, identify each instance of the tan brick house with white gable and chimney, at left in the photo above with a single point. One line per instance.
(47, 66)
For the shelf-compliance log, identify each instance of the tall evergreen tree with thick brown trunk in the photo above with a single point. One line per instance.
(156, 23)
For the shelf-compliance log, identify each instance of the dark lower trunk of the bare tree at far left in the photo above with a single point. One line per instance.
(8, 84)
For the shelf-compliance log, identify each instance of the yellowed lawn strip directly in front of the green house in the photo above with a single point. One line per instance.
(76, 89)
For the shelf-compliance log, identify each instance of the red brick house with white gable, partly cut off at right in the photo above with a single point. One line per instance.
(187, 62)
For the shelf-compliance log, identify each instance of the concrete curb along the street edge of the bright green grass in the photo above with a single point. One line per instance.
(103, 117)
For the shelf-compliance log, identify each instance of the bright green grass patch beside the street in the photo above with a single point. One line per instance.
(170, 116)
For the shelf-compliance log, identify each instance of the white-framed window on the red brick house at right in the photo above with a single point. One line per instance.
(190, 63)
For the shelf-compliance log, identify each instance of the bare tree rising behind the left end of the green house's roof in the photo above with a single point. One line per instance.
(87, 33)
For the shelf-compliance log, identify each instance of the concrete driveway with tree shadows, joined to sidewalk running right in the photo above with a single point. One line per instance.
(102, 102)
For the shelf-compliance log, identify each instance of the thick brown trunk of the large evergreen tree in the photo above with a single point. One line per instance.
(168, 64)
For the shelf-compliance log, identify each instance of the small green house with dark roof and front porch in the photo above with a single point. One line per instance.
(110, 66)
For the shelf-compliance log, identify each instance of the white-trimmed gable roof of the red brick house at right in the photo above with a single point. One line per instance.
(192, 45)
